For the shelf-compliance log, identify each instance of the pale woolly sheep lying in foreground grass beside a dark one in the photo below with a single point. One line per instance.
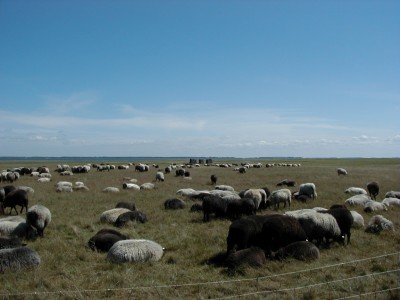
(135, 251)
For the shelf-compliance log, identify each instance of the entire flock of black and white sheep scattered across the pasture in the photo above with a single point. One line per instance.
(252, 237)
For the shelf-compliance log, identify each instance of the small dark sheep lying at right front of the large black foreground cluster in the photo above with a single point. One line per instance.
(302, 250)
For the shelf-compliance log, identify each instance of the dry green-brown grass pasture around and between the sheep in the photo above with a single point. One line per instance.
(69, 269)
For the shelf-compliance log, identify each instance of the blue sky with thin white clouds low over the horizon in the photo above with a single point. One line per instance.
(200, 78)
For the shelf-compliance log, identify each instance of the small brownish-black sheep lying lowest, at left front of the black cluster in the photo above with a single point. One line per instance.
(253, 257)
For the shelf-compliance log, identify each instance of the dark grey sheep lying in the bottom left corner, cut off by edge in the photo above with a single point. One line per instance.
(18, 258)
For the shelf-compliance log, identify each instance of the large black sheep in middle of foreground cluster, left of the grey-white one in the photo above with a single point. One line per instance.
(279, 231)
